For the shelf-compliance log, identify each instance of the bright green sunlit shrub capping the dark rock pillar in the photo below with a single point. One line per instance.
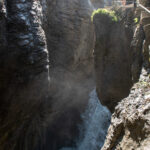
(105, 12)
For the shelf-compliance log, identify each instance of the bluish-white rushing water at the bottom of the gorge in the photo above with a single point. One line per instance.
(96, 120)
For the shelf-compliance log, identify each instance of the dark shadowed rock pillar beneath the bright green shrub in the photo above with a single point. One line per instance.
(118, 56)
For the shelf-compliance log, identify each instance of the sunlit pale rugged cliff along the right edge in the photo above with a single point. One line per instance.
(130, 122)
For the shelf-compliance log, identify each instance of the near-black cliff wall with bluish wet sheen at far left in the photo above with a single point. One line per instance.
(24, 72)
